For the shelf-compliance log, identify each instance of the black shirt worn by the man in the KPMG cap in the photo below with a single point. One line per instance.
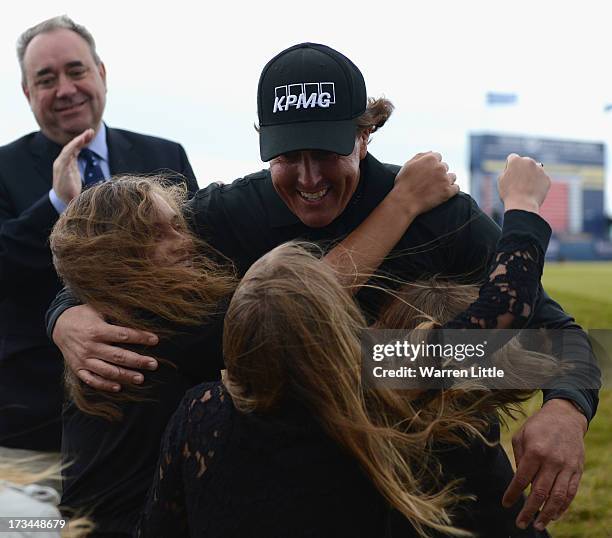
(455, 240)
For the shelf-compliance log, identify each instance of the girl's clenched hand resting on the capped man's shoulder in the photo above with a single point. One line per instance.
(423, 183)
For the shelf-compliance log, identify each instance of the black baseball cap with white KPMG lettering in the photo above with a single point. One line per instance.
(308, 97)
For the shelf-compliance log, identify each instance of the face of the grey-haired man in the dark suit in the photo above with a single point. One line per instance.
(64, 86)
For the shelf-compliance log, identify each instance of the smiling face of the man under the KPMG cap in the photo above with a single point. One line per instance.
(317, 185)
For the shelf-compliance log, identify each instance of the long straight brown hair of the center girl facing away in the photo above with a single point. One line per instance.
(292, 333)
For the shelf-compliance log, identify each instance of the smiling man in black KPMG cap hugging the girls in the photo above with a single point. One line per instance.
(314, 125)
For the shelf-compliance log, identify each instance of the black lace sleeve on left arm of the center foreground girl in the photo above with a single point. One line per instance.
(187, 451)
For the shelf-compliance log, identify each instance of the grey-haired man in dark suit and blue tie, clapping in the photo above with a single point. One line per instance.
(65, 84)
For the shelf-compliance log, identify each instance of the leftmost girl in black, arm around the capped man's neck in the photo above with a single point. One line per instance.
(125, 248)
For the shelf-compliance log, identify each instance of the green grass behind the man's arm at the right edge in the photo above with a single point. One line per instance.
(585, 291)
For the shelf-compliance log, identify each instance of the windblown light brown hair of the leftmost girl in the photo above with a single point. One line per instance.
(103, 248)
